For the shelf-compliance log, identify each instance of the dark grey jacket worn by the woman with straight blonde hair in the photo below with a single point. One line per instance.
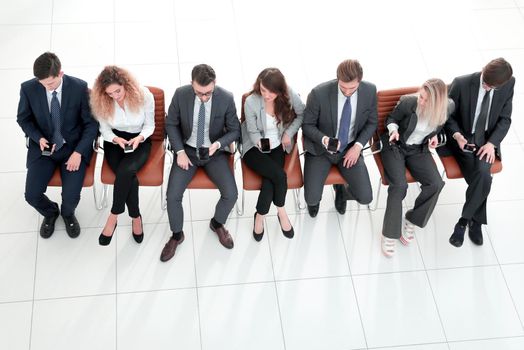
(405, 116)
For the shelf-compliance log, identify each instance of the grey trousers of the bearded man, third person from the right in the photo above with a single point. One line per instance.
(316, 169)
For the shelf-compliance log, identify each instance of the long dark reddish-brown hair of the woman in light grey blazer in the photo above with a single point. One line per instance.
(274, 81)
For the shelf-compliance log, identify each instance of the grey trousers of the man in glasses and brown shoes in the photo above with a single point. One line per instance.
(218, 170)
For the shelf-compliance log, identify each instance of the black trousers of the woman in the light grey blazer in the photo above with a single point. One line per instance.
(274, 179)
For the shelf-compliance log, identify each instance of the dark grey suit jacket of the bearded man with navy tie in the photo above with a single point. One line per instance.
(320, 116)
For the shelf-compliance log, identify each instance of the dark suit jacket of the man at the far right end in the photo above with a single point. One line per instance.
(464, 92)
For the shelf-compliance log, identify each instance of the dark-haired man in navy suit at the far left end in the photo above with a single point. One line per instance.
(54, 114)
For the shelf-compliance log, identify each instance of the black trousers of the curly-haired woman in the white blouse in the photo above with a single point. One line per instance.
(125, 166)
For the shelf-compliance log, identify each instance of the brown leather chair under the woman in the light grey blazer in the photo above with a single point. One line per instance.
(251, 181)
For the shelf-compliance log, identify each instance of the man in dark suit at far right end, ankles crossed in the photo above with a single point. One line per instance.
(481, 120)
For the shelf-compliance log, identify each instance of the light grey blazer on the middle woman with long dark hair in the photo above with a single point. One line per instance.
(254, 127)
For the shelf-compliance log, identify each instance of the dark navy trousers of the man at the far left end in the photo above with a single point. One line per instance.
(40, 172)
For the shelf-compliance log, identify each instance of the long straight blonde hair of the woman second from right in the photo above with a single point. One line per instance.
(435, 110)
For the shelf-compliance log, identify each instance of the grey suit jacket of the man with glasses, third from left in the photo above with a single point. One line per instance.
(224, 125)
